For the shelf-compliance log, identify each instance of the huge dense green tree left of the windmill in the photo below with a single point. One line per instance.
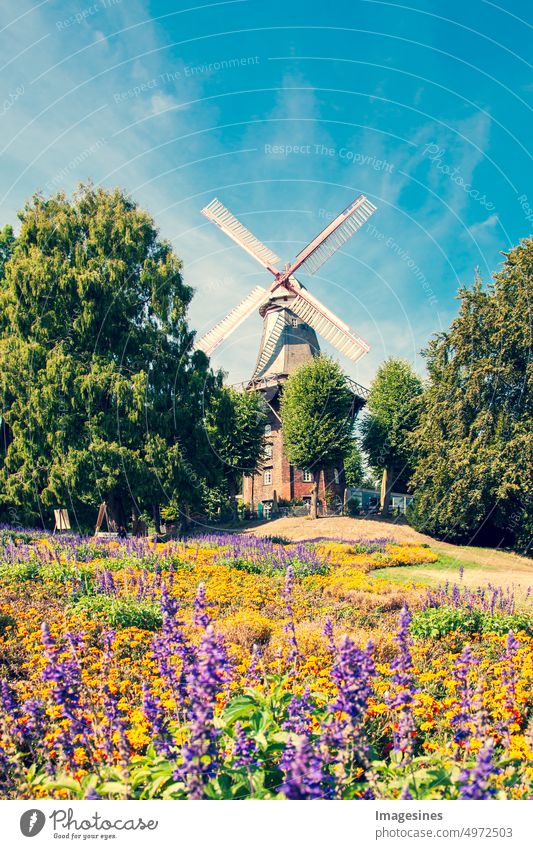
(99, 388)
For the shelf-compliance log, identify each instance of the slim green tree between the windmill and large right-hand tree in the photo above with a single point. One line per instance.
(392, 410)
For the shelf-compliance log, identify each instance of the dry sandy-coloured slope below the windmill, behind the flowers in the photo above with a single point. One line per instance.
(339, 527)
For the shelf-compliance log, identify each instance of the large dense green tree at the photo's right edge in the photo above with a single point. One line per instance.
(474, 441)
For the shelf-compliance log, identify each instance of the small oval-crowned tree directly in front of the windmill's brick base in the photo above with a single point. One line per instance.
(317, 418)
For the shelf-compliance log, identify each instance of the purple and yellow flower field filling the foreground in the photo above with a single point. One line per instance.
(232, 667)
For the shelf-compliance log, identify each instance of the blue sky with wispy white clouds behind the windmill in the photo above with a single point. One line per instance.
(286, 111)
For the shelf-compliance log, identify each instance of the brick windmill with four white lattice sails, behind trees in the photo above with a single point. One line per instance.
(292, 317)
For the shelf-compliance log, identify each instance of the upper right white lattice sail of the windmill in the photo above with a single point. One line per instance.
(334, 236)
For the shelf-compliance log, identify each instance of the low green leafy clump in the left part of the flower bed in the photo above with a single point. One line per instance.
(121, 612)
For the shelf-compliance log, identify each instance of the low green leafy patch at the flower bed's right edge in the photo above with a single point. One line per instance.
(437, 622)
